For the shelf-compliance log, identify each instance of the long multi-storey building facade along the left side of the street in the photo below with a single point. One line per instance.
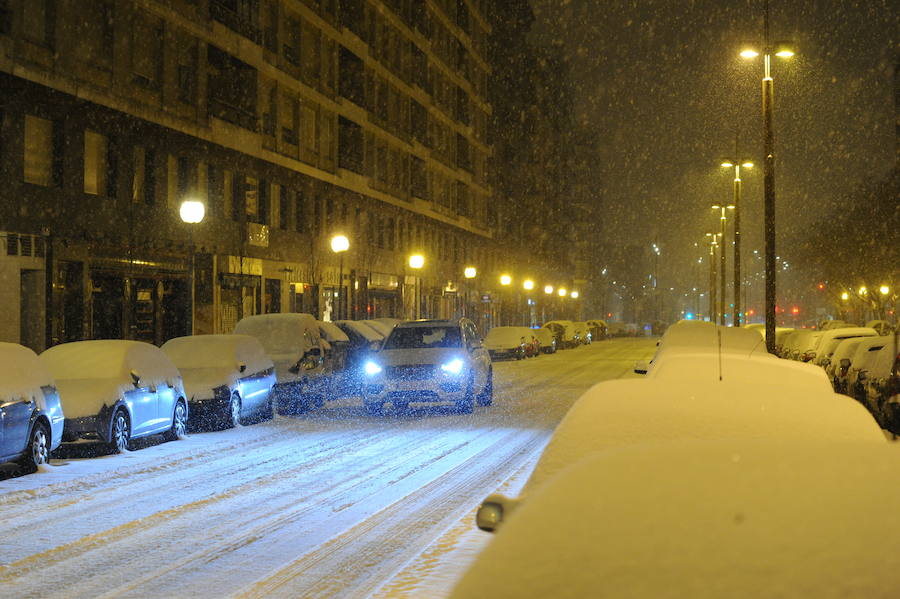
(291, 120)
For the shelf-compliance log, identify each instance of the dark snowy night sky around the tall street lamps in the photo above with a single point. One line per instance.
(661, 86)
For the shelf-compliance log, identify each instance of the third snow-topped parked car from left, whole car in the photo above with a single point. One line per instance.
(228, 378)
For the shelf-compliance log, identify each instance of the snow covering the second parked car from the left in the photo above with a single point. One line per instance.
(91, 374)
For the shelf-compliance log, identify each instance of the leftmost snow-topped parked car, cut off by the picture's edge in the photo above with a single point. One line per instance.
(31, 416)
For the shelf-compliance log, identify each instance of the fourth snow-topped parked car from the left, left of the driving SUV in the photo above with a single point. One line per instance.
(294, 344)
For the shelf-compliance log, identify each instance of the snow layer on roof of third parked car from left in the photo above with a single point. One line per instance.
(217, 351)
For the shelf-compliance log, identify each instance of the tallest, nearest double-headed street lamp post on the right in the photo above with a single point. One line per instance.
(781, 50)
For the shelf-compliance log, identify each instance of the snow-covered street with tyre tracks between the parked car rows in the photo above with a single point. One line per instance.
(334, 503)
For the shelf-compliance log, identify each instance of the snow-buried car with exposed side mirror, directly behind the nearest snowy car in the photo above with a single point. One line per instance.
(624, 412)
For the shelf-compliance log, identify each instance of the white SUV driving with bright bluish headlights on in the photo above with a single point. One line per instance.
(429, 361)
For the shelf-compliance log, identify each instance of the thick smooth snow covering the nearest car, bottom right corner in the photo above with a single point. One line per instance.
(742, 518)
